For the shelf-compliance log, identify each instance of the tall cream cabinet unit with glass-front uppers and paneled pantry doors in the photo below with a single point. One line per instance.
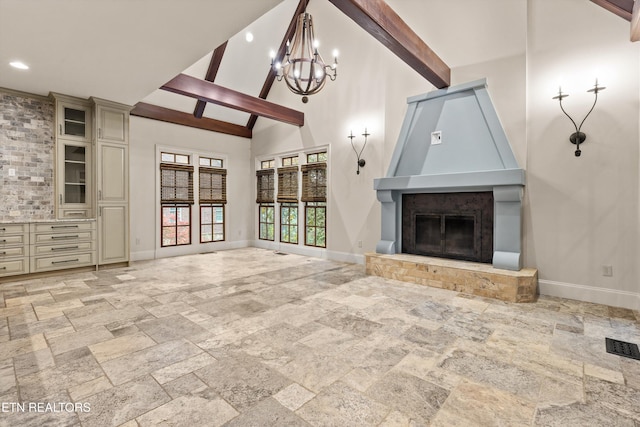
(92, 171)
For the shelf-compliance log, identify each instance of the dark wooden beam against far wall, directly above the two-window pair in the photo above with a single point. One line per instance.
(168, 115)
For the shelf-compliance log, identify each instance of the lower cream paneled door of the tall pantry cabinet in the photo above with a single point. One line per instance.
(113, 229)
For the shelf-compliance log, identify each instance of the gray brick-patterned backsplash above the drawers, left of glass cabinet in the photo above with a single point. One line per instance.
(26, 158)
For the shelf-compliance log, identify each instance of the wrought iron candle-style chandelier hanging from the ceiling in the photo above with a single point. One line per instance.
(303, 69)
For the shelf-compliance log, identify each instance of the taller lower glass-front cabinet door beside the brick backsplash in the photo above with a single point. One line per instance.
(74, 179)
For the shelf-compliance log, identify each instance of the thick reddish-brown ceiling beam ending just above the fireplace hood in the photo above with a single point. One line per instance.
(379, 20)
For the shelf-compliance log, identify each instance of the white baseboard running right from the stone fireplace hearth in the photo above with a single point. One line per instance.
(612, 297)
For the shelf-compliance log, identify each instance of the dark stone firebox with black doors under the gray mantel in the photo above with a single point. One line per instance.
(449, 225)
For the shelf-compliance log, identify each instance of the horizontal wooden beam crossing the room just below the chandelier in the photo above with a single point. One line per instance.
(192, 87)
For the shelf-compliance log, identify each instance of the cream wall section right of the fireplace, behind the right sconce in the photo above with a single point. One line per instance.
(583, 211)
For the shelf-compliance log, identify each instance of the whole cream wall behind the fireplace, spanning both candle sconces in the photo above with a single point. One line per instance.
(579, 213)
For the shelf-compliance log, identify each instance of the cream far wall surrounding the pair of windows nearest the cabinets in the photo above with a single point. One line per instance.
(145, 135)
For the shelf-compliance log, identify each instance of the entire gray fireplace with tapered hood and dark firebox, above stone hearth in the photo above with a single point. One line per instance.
(452, 146)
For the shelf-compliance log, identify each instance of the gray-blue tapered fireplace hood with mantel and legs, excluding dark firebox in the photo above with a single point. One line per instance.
(452, 141)
